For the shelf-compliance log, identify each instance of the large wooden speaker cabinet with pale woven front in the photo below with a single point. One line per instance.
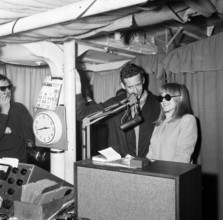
(162, 190)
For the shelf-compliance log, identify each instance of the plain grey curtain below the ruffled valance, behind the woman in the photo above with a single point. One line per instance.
(207, 102)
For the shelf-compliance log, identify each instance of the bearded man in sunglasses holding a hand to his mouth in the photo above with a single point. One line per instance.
(15, 124)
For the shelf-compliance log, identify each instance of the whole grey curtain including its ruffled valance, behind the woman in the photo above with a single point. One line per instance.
(200, 67)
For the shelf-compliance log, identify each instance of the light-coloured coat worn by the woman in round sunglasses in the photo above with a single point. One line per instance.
(174, 141)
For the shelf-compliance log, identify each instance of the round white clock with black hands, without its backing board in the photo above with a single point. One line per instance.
(47, 127)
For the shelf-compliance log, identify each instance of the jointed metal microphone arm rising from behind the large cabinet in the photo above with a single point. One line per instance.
(93, 118)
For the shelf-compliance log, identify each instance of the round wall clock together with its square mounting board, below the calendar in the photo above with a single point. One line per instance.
(49, 128)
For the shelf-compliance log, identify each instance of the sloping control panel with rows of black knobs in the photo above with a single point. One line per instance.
(13, 178)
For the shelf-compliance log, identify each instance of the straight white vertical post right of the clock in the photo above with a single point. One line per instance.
(70, 104)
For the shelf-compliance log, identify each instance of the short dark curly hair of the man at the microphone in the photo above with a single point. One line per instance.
(130, 70)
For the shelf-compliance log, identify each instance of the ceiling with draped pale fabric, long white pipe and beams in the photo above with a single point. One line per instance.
(142, 27)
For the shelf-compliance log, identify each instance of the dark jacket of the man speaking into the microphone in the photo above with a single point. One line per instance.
(124, 142)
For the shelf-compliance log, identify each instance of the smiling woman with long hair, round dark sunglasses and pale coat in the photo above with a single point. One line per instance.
(175, 134)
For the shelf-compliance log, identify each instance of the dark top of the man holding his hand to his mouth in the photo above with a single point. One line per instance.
(20, 122)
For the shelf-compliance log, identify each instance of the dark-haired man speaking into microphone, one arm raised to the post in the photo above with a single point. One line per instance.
(129, 130)
